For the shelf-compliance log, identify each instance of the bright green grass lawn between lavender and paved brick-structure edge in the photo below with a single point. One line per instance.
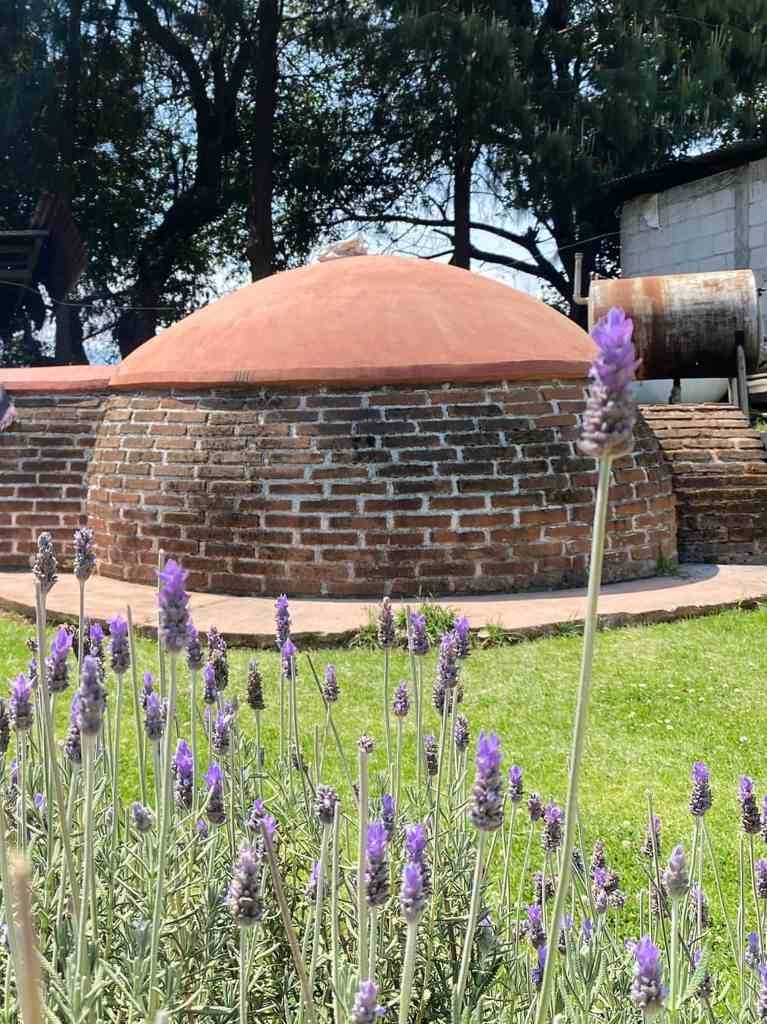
(664, 697)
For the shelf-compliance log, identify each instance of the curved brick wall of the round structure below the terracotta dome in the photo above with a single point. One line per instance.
(431, 491)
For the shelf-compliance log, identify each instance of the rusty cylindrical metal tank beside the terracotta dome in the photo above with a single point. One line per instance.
(687, 325)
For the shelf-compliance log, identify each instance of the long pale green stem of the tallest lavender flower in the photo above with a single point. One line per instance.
(579, 736)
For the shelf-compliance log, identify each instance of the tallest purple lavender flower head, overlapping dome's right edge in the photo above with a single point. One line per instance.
(611, 410)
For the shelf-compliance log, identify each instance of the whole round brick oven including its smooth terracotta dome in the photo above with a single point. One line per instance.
(356, 426)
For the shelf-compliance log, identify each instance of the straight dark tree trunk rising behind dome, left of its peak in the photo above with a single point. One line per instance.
(262, 190)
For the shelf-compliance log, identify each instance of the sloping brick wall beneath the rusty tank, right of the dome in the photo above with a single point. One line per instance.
(720, 481)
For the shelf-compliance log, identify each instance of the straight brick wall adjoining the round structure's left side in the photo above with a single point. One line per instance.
(44, 464)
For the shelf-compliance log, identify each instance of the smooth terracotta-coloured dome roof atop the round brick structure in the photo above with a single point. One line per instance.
(369, 320)
